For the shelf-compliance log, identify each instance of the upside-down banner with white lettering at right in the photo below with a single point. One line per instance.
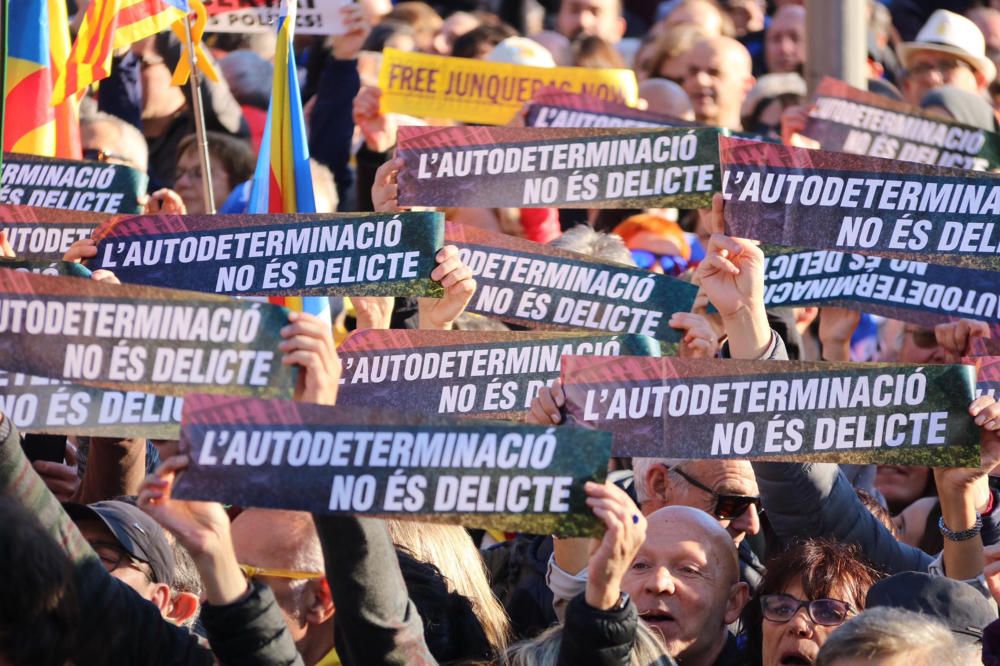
(922, 293)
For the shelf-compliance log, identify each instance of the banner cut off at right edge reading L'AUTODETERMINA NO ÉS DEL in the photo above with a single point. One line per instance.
(796, 197)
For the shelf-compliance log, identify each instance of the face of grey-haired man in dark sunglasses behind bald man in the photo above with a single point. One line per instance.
(727, 477)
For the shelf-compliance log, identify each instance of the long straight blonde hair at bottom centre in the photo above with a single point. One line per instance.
(450, 549)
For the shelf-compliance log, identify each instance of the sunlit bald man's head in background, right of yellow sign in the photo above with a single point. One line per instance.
(717, 77)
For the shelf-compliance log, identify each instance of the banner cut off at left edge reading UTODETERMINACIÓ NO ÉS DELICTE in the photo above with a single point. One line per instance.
(133, 338)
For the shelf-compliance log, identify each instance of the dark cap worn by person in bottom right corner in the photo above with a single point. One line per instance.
(957, 605)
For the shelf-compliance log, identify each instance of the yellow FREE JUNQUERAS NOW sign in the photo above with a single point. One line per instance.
(489, 93)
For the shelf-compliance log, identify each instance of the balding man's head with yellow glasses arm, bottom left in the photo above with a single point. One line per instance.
(285, 546)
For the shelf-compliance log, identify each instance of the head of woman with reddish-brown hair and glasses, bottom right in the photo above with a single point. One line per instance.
(809, 590)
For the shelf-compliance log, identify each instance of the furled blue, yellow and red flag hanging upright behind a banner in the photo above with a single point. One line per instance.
(282, 181)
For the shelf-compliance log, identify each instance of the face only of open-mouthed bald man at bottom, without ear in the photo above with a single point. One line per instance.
(681, 584)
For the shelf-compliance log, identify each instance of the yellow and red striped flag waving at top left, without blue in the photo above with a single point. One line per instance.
(110, 25)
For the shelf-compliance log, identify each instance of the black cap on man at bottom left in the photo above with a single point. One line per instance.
(140, 536)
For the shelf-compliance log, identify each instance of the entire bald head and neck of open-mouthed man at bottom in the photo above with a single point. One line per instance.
(685, 582)
